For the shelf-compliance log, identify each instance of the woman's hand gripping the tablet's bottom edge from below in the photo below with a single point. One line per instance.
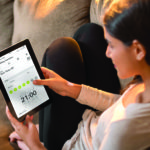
(28, 133)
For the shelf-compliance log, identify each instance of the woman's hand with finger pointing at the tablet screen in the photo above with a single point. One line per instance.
(58, 84)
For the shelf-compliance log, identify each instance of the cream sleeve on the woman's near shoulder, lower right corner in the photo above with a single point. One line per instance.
(131, 133)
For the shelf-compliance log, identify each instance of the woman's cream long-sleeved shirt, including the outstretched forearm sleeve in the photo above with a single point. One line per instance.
(117, 128)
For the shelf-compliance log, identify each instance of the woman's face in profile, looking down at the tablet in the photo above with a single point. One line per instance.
(122, 56)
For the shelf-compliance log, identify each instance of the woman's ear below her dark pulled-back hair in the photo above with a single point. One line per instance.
(139, 50)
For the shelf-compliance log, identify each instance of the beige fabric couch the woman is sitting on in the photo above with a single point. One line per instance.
(41, 21)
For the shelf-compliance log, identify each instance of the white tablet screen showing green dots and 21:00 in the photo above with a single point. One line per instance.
(17, 72)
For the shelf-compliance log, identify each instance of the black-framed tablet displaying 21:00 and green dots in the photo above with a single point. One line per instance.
(18, 68)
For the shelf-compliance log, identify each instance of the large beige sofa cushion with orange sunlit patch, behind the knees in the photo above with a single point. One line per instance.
(44, 21)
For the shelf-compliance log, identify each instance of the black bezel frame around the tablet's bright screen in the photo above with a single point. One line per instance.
(26, 42)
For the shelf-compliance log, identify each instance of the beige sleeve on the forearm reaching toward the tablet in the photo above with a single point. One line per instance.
(95, 98)
